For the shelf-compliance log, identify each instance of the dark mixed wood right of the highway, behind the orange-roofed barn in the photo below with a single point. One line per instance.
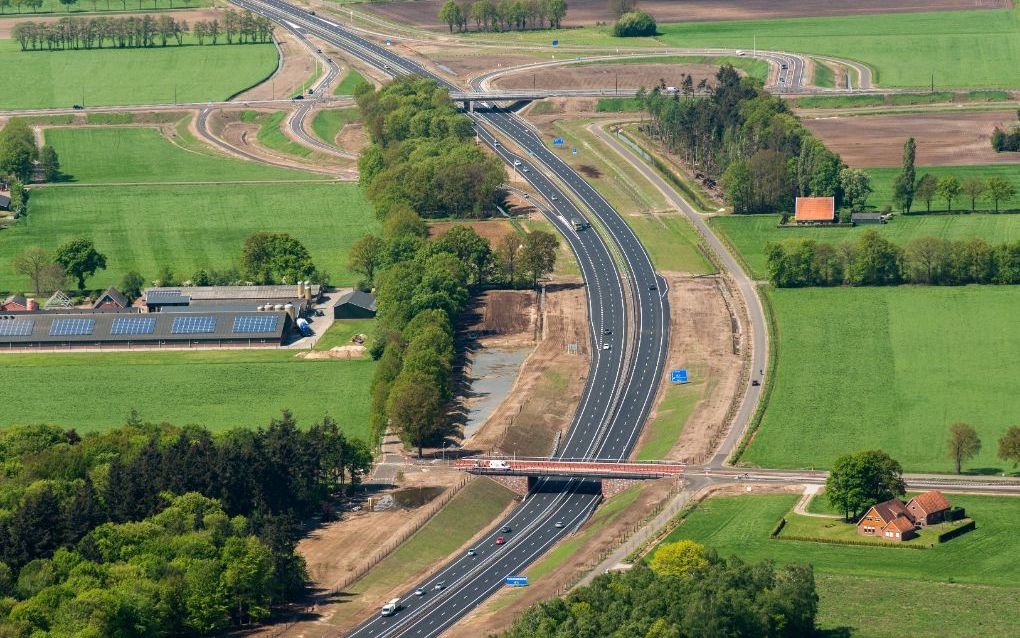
(745, 140)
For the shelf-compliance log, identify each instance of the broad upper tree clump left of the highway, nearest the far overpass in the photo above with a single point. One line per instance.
(423, 154)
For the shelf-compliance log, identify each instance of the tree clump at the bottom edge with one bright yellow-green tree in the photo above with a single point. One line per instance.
(687, 592)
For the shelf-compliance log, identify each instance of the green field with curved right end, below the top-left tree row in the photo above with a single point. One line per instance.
(197, 74)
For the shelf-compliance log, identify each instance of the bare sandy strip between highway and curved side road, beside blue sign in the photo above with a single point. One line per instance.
(705, 338)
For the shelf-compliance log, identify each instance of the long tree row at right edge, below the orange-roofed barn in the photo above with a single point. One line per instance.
(874, 261)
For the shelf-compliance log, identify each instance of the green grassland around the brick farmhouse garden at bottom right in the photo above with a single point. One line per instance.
(878, 592)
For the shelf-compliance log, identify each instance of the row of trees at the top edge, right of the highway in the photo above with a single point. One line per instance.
(502, 16)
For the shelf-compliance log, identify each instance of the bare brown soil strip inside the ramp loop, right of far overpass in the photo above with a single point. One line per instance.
(606, 76)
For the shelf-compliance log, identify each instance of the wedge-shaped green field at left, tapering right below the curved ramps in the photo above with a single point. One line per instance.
(98, 156)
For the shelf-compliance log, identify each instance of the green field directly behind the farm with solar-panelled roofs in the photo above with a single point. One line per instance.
(143, 228)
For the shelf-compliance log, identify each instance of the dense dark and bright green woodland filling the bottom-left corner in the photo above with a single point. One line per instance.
(152, 530)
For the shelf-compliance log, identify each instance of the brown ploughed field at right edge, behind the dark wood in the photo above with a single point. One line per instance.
(943, 138)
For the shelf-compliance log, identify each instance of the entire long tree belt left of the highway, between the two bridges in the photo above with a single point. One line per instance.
(424, 163)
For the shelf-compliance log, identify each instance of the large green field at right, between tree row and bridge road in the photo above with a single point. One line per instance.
(890, 369)
